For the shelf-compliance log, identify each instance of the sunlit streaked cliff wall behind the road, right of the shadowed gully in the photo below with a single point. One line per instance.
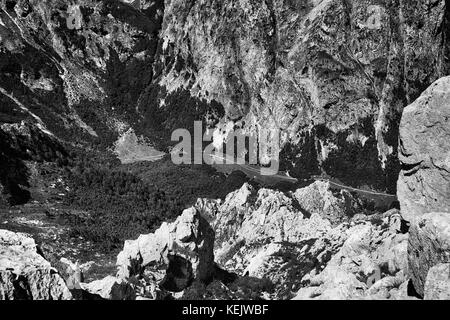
(334, 76)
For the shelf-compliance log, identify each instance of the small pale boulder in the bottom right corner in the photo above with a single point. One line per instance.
(437, 285)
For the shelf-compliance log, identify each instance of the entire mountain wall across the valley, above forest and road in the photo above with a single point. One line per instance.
(333, 75)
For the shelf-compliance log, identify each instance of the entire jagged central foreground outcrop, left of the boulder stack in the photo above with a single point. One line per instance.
(266, 239)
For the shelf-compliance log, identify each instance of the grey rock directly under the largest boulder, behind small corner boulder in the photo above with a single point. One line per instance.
(429, 245)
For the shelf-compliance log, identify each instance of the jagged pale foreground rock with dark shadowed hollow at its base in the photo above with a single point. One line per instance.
(174, 256)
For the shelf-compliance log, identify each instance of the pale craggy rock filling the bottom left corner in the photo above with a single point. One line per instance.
(25, 274)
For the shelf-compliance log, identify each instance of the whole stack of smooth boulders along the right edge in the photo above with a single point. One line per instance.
(424, 188)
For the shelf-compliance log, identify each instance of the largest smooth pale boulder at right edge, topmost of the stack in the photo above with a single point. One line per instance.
(424, 184)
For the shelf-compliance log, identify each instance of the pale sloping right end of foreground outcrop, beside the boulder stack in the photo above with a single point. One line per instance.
(370, 265)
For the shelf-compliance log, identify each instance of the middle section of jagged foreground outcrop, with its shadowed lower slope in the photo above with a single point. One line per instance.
(267, 234)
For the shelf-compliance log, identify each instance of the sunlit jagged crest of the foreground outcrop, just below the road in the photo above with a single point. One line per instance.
(248, 215)
